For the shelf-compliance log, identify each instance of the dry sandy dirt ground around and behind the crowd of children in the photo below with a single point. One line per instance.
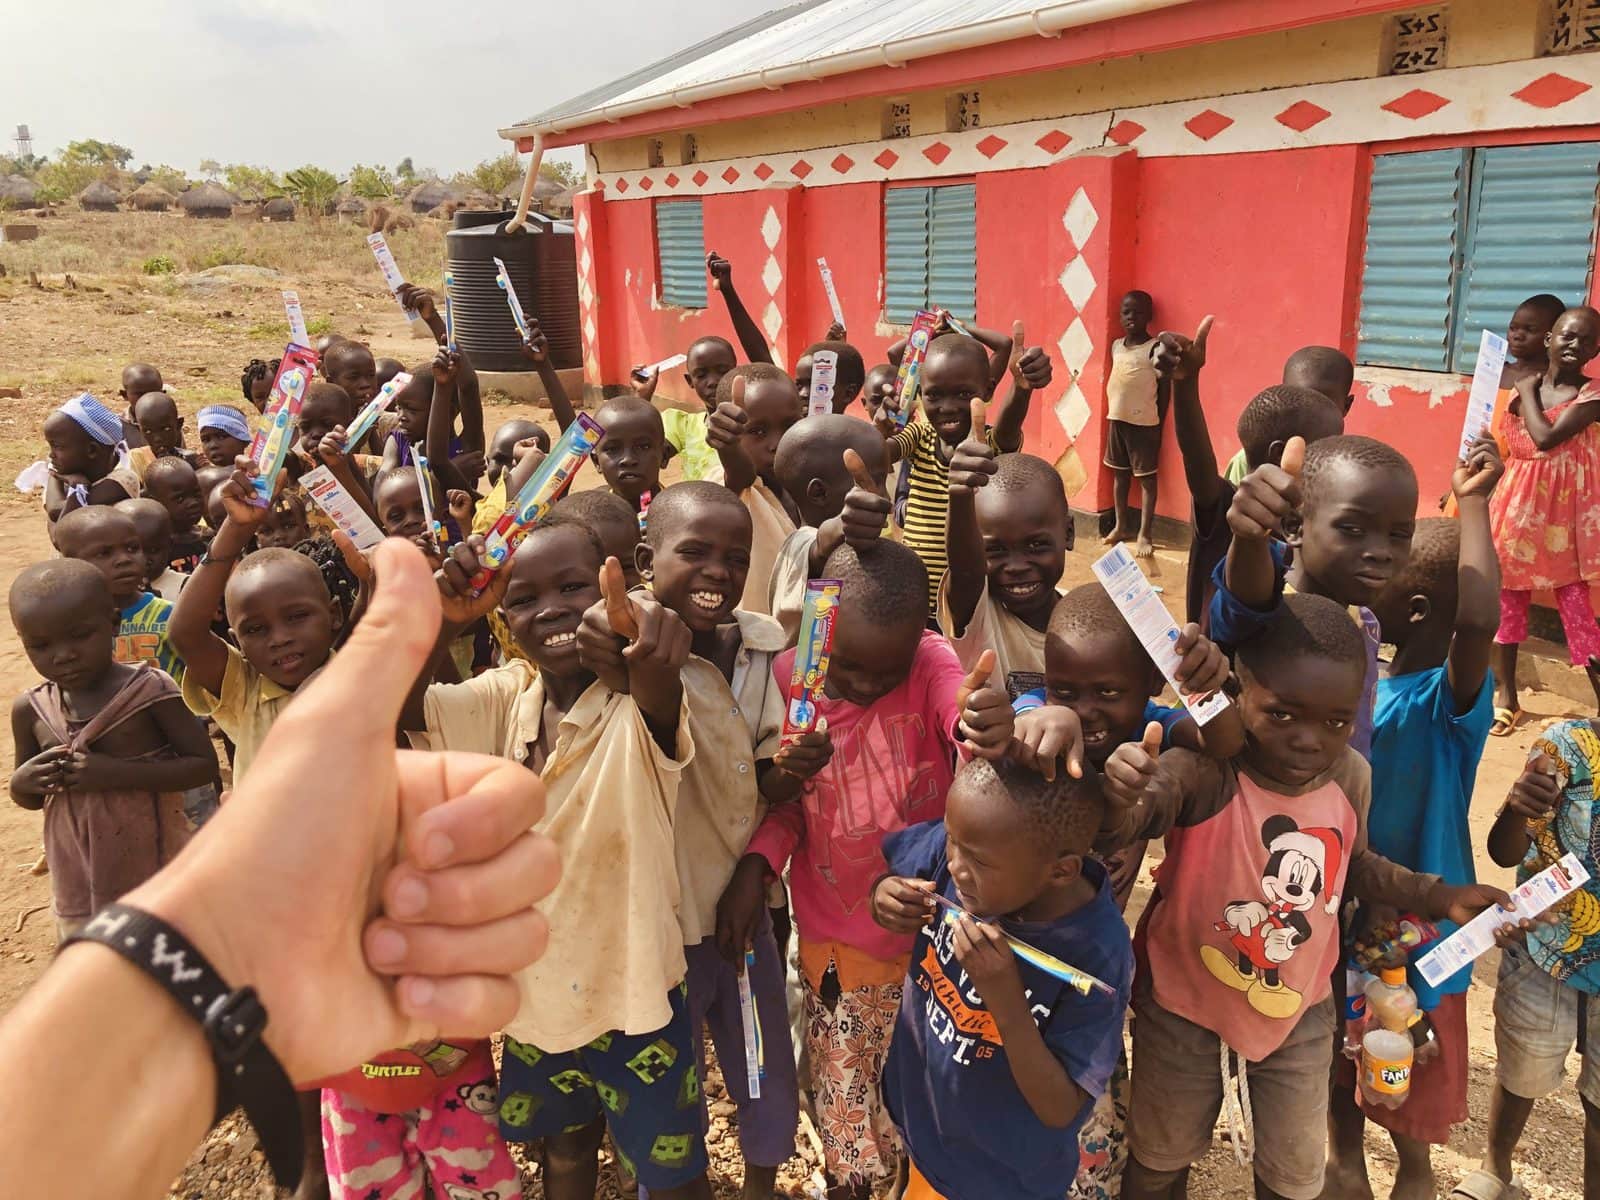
(66, 335)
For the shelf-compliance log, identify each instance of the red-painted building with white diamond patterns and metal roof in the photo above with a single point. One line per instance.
(1377, 177)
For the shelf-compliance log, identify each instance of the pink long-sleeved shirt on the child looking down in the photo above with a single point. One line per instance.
(892, 769)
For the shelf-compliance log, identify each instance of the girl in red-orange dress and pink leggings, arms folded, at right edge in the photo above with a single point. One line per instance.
(1543, 514)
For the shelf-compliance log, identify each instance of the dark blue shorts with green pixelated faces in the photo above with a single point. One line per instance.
(646, 1087)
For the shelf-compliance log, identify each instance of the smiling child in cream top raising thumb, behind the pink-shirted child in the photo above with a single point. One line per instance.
(1009, 538)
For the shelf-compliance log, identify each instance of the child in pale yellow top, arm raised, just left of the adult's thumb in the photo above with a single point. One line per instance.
(282, 618)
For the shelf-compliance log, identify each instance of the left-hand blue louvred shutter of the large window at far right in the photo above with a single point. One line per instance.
(1414, 239)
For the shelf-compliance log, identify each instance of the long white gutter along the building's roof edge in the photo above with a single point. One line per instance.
(1044, 22)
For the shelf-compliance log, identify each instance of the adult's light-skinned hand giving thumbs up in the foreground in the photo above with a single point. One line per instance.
(396, 905)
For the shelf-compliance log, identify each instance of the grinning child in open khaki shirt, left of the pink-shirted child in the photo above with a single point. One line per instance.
(695, 556)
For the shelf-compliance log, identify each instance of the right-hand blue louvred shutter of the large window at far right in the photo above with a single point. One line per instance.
(1530, 230)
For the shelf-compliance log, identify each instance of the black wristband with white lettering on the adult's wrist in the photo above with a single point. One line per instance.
(233, 1020)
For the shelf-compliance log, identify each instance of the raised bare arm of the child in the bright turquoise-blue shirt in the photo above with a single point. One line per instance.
(1478, 574)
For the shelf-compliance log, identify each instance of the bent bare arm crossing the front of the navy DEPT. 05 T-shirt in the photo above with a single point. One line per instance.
(990, 962)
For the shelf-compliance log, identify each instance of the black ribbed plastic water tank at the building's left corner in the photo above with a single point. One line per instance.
(542, 260)
